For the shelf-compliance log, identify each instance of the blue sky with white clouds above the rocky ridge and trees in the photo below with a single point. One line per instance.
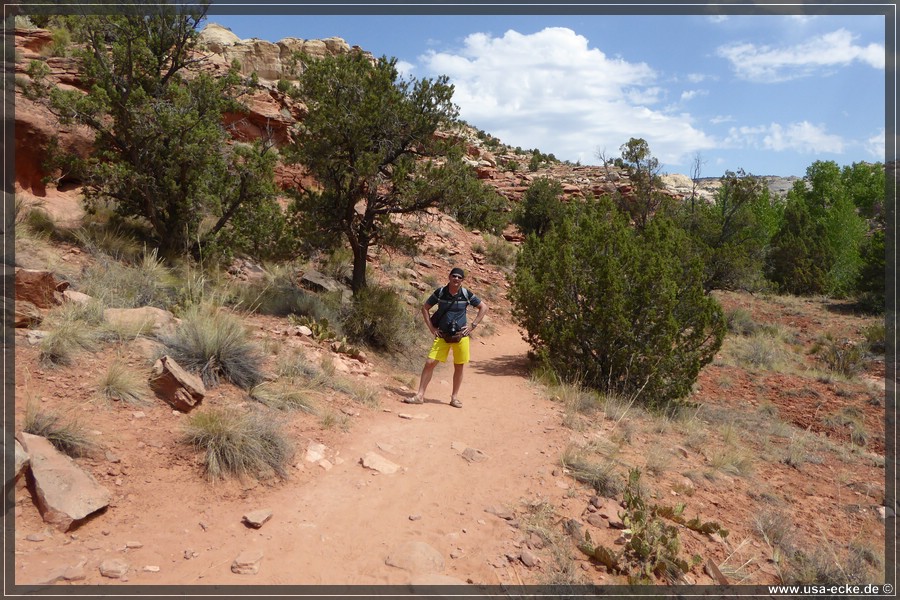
(768, 94)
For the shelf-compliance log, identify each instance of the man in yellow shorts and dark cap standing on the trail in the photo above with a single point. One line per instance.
(450, 331)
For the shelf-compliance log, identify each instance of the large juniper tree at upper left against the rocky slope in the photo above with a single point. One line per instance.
(160, 151)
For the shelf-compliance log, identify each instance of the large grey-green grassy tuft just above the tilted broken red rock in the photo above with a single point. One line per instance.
(215, 344)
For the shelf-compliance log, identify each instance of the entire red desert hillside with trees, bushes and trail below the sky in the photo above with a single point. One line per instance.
(220, 259)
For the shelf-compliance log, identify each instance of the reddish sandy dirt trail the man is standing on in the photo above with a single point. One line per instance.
(339, 526)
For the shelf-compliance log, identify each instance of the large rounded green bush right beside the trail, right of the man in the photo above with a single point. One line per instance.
(618, 310)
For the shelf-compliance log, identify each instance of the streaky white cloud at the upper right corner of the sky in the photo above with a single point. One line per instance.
(768, 64)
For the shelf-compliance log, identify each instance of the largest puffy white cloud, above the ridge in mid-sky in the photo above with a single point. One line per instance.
(550, 90)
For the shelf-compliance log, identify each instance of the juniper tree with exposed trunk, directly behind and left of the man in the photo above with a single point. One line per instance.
(369, 140)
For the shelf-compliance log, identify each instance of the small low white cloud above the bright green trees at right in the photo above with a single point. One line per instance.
(803, 137)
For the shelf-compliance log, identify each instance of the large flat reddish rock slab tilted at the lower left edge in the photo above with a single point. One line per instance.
(65, 493)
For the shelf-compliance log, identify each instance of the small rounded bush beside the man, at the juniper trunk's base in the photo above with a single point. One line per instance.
(378, 318)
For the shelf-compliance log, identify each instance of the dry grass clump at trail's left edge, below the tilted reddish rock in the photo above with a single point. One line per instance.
(237, 443)
